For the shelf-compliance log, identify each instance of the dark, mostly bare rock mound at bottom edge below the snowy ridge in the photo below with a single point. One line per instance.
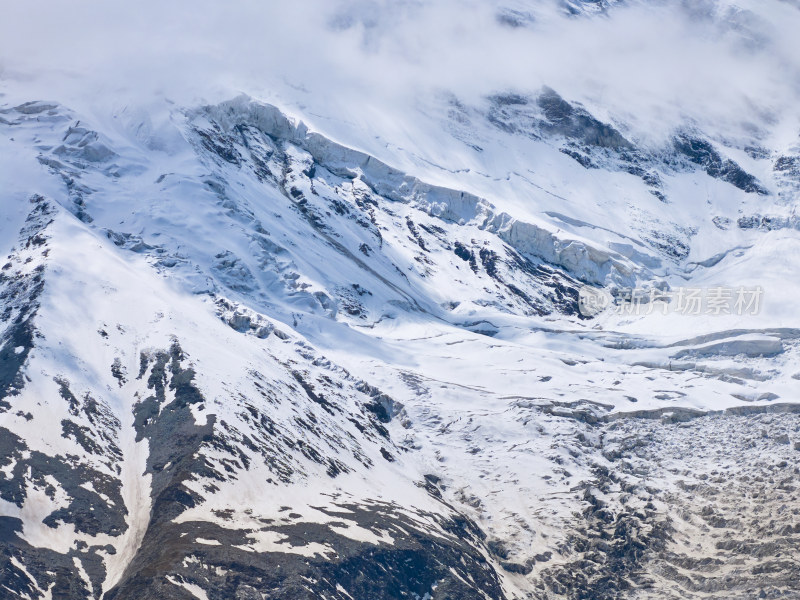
(416, 563)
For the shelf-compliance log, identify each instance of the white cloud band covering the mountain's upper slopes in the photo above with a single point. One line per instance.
(653, 65)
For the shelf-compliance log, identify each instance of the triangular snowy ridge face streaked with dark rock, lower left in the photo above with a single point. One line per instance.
(146, 429)
